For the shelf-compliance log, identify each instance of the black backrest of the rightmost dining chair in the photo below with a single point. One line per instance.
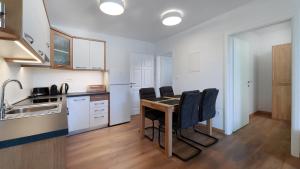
(207, 106)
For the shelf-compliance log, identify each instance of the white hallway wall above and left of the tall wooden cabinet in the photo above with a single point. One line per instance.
(261, 42)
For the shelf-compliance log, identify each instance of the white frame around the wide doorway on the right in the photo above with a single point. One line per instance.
(229, 80)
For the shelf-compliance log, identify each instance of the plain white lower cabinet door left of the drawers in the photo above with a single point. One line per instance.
(79, 115)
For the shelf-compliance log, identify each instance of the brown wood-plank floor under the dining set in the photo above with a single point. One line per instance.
(264, 144)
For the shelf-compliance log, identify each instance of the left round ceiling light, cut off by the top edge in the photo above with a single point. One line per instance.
(112, 7)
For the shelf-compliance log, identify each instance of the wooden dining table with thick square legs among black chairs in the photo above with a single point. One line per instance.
(166, 105)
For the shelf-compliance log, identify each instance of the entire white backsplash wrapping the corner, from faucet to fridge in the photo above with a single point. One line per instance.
(43, 77)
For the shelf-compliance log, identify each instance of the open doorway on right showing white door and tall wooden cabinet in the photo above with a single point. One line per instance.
(262, 73)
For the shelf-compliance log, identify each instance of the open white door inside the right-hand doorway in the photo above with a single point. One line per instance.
(242, 83)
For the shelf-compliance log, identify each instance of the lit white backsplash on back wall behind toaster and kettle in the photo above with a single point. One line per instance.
(77, 80)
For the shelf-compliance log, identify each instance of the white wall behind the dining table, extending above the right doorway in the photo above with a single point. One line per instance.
(209, 40)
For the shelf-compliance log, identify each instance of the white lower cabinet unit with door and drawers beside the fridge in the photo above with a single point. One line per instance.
(86, 113)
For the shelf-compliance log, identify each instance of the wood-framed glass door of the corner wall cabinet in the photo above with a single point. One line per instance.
(61, 50)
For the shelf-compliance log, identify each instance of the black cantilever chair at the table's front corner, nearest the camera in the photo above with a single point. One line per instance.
(187, 117)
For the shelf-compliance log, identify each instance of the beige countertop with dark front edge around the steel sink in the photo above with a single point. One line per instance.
(34, 128)
